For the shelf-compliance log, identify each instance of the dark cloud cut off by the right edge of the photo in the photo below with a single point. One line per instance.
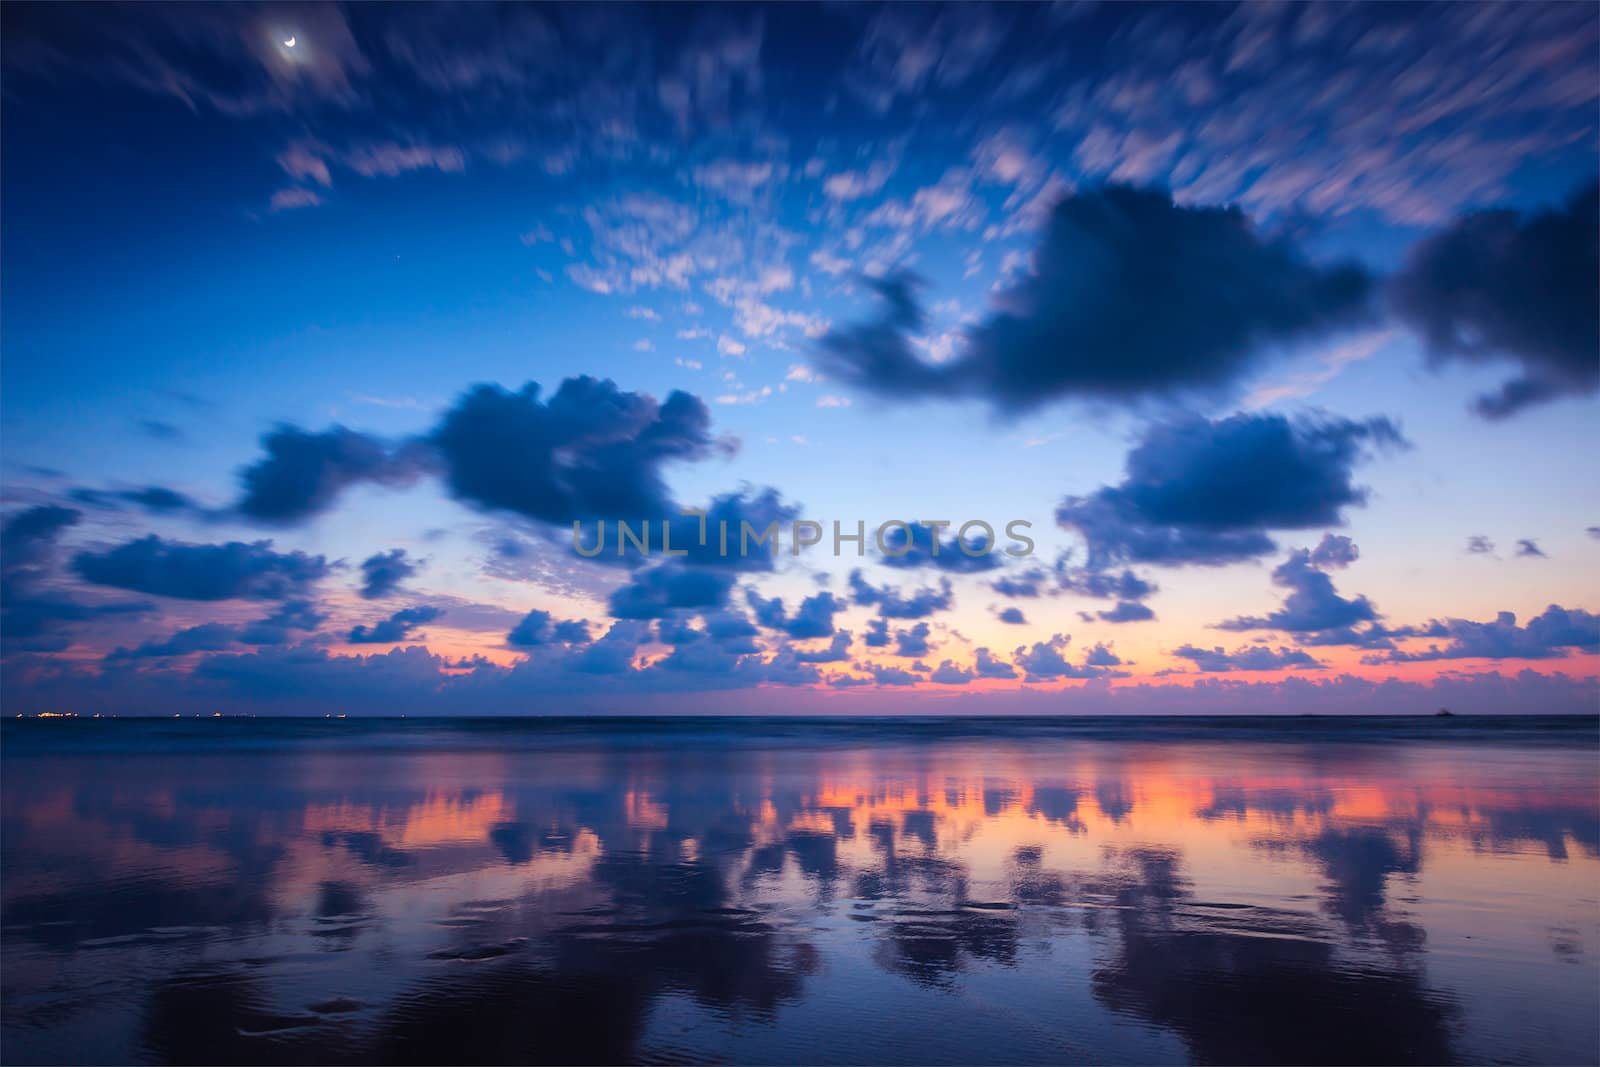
(1500, 287)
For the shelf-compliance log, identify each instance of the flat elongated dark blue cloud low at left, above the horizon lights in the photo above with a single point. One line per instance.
(202, 572)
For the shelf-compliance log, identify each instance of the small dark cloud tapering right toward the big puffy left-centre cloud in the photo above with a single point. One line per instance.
(303, 474)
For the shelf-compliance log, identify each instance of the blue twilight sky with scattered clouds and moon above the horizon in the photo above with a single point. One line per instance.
(1273, 329)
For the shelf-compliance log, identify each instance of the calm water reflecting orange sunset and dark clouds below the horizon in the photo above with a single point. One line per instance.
(722, 895)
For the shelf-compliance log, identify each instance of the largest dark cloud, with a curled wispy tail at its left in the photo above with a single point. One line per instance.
(1132, 297)
